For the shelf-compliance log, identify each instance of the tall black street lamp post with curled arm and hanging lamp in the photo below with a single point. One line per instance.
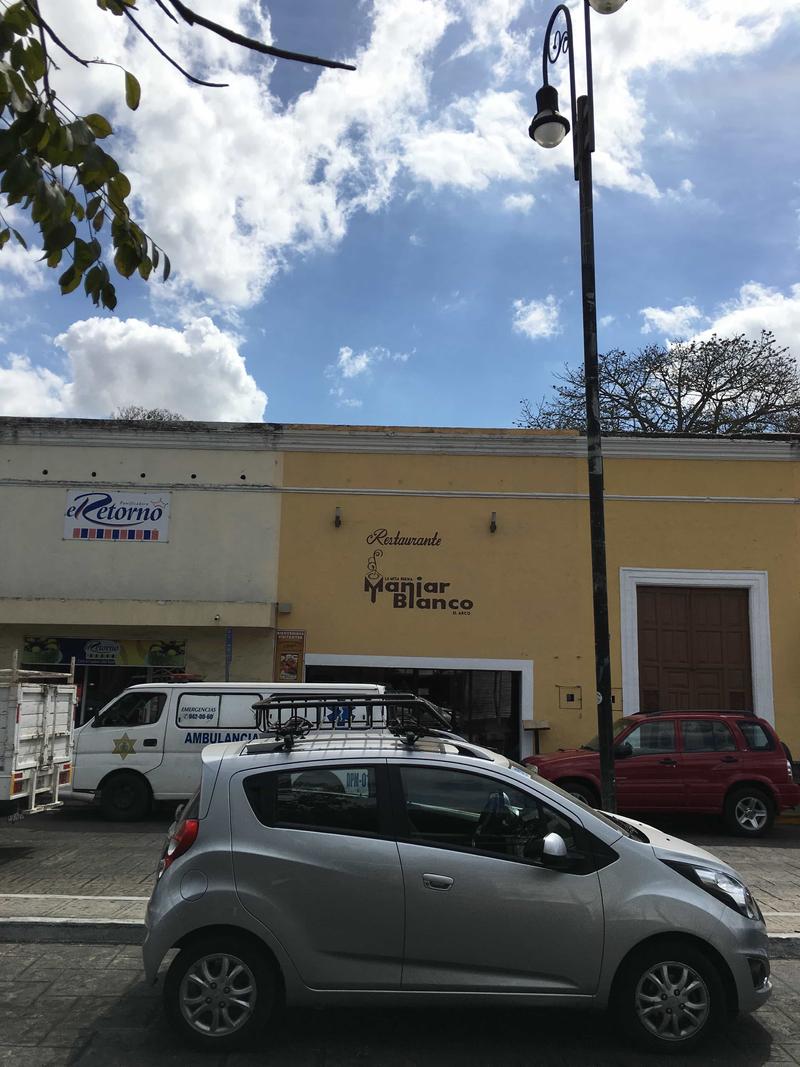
(549, 130)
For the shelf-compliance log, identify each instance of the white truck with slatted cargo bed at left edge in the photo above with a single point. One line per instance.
(37, 722)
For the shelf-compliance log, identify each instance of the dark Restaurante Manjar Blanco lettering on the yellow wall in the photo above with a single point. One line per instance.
(394, 579)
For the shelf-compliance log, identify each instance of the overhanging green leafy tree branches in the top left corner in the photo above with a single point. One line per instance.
(52, 163)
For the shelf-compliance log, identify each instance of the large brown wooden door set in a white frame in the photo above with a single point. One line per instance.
(694, 649)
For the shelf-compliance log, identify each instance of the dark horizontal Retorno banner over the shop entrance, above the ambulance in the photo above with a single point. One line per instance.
(103, 652)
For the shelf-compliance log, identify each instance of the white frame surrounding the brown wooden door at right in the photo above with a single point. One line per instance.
(761, 647)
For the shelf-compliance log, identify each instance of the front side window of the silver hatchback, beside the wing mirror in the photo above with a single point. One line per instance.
(460, 810)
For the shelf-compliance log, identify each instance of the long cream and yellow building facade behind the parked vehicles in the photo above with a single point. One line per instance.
(453, 563)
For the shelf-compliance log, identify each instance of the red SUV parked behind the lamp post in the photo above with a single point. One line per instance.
(728, 763)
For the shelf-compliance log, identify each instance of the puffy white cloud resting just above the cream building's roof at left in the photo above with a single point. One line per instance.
(198, 373)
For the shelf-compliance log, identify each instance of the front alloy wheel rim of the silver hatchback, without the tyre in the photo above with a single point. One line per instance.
(673, 1001)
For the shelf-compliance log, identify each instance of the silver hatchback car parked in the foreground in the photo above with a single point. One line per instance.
(375, 869)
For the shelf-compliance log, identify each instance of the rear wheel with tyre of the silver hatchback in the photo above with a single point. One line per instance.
(220, 992)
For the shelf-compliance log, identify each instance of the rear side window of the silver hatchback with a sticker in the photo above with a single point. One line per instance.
(333, 800)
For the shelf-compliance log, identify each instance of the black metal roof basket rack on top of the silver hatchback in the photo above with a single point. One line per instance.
(289, 719)
